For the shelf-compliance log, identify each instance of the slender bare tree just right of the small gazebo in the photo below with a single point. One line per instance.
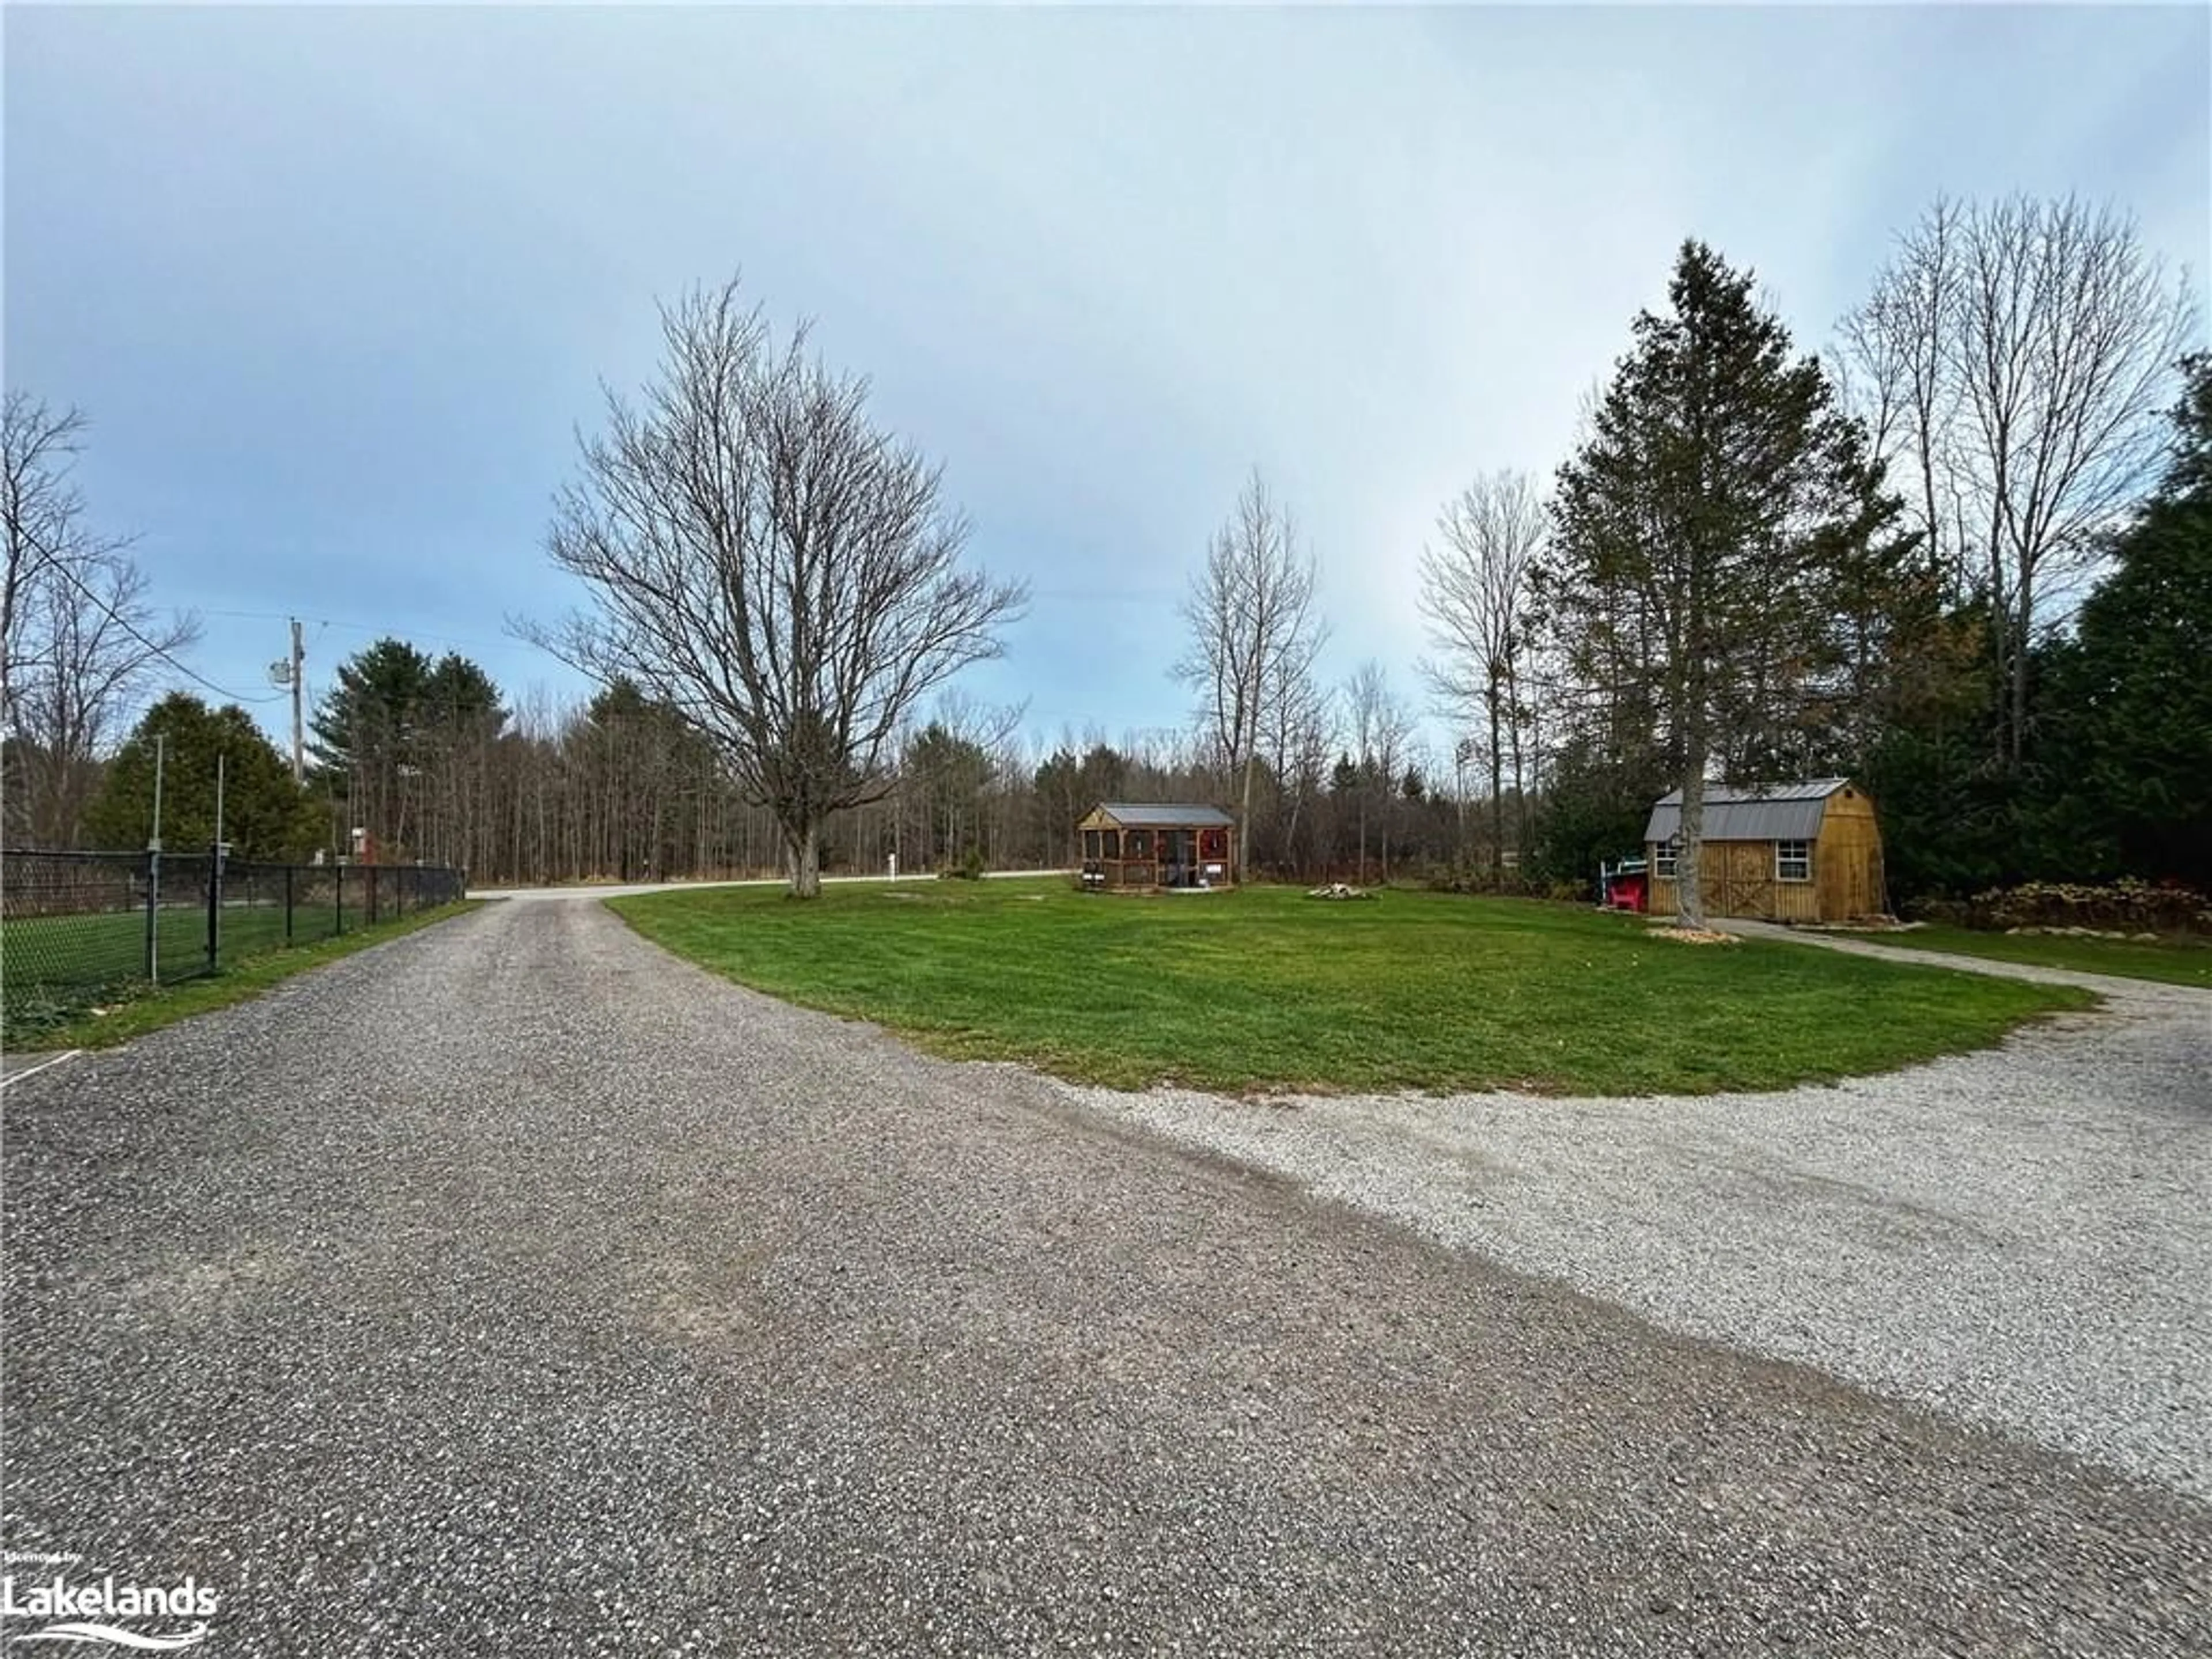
(1253, 636)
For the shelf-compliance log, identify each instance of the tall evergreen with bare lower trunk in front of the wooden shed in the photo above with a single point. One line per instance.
(1731, 517)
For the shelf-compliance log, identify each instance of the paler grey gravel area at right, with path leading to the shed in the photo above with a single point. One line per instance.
(2021, 1238)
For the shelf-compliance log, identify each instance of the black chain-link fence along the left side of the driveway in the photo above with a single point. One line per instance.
(79, 928)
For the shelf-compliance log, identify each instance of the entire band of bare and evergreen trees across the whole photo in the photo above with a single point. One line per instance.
(1959, 556)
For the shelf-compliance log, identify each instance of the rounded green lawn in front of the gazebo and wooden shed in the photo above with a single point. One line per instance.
(1271, 990)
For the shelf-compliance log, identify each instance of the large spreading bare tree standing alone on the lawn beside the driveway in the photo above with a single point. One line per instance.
(773, 565)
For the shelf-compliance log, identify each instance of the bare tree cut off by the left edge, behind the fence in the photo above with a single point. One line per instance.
(81, 640)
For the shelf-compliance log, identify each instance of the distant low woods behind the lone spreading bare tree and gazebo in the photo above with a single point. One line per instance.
(421, 758)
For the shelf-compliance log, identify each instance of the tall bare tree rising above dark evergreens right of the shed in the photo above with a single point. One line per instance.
(2014, 366)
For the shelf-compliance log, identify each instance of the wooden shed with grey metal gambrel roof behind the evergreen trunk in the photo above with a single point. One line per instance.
(1782, 853)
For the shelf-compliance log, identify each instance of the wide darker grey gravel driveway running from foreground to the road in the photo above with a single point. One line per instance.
(514, 1288)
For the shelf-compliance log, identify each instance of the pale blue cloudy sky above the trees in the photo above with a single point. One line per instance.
(337, 286)
